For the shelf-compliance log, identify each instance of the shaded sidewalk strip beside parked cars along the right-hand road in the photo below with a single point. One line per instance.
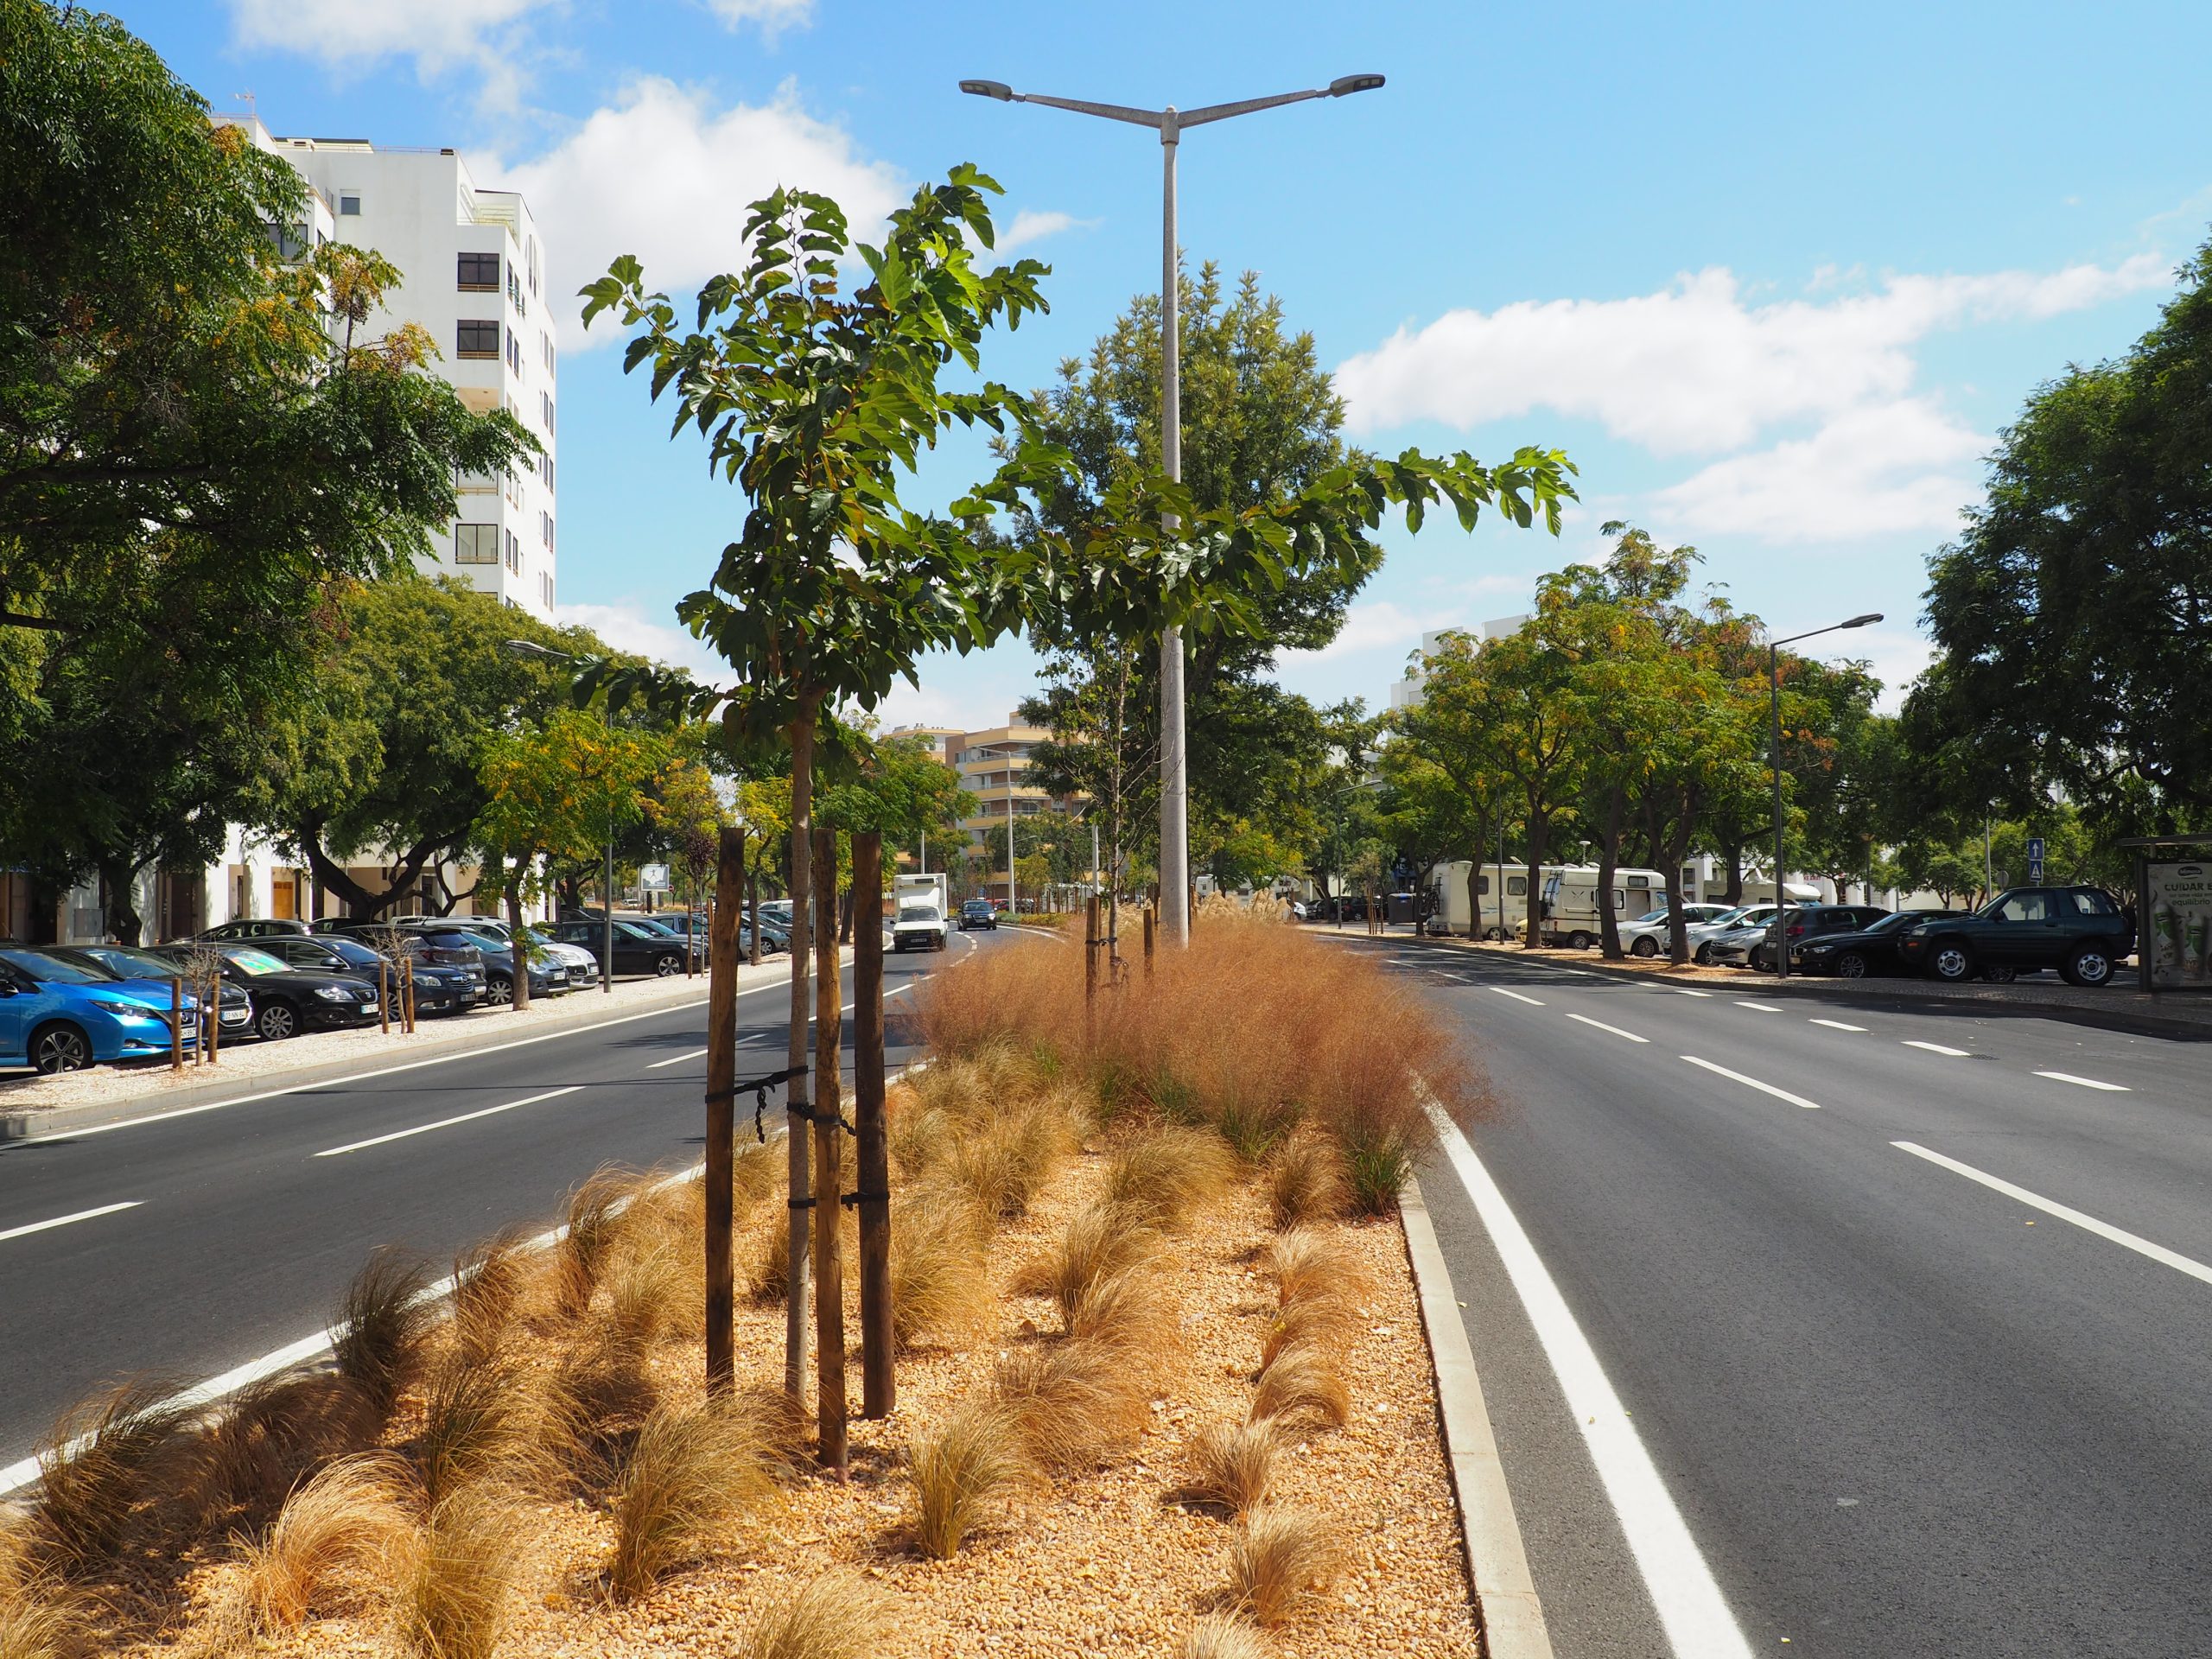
(2118, 1005)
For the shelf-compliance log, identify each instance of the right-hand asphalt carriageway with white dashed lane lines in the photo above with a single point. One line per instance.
(1899, 1410)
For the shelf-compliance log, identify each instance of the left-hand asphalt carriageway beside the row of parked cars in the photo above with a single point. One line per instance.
(247, 1224)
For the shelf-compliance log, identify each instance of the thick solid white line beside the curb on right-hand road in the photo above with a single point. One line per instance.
(1691, 1607)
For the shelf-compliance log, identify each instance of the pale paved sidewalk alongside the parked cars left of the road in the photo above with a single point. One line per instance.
(34, 1107)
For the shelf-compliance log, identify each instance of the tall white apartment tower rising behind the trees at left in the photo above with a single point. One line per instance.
(472, 273)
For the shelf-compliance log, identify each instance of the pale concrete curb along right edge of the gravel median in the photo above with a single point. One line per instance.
(1490, 1534)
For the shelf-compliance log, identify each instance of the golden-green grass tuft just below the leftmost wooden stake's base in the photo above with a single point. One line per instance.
(691, 1474)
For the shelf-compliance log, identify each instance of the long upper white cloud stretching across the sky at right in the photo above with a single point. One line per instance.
(1695, 366)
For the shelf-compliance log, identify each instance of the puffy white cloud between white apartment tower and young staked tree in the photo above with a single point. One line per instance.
(667, 176)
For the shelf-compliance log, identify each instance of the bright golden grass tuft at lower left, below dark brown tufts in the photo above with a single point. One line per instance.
(333, 1545)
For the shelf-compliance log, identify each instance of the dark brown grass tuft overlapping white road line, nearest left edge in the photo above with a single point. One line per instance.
(105, 1459)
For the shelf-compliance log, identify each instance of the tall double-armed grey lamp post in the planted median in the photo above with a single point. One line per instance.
(1171, 123)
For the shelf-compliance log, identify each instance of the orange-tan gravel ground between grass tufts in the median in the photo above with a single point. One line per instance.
(1096, 1565)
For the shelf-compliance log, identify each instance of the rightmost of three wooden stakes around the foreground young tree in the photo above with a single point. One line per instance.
(873, 1154)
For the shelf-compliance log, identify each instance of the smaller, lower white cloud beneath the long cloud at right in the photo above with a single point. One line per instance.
(1877, 470)
